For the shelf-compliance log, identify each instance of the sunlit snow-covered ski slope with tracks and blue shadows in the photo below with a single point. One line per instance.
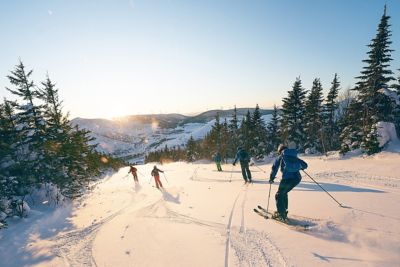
(202, 219)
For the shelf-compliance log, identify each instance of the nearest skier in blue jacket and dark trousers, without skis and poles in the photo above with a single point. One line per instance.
(290, 166)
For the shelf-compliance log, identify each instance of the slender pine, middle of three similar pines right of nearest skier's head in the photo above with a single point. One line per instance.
(313, 126)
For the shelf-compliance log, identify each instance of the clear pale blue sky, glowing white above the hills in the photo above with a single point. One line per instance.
(124, 57)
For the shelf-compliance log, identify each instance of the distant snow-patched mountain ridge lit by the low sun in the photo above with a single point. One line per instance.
(132, 136)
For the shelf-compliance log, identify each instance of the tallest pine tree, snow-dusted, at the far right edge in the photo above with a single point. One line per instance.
(375, 105)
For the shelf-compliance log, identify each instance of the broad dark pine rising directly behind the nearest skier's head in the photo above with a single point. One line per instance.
(293, 115)
